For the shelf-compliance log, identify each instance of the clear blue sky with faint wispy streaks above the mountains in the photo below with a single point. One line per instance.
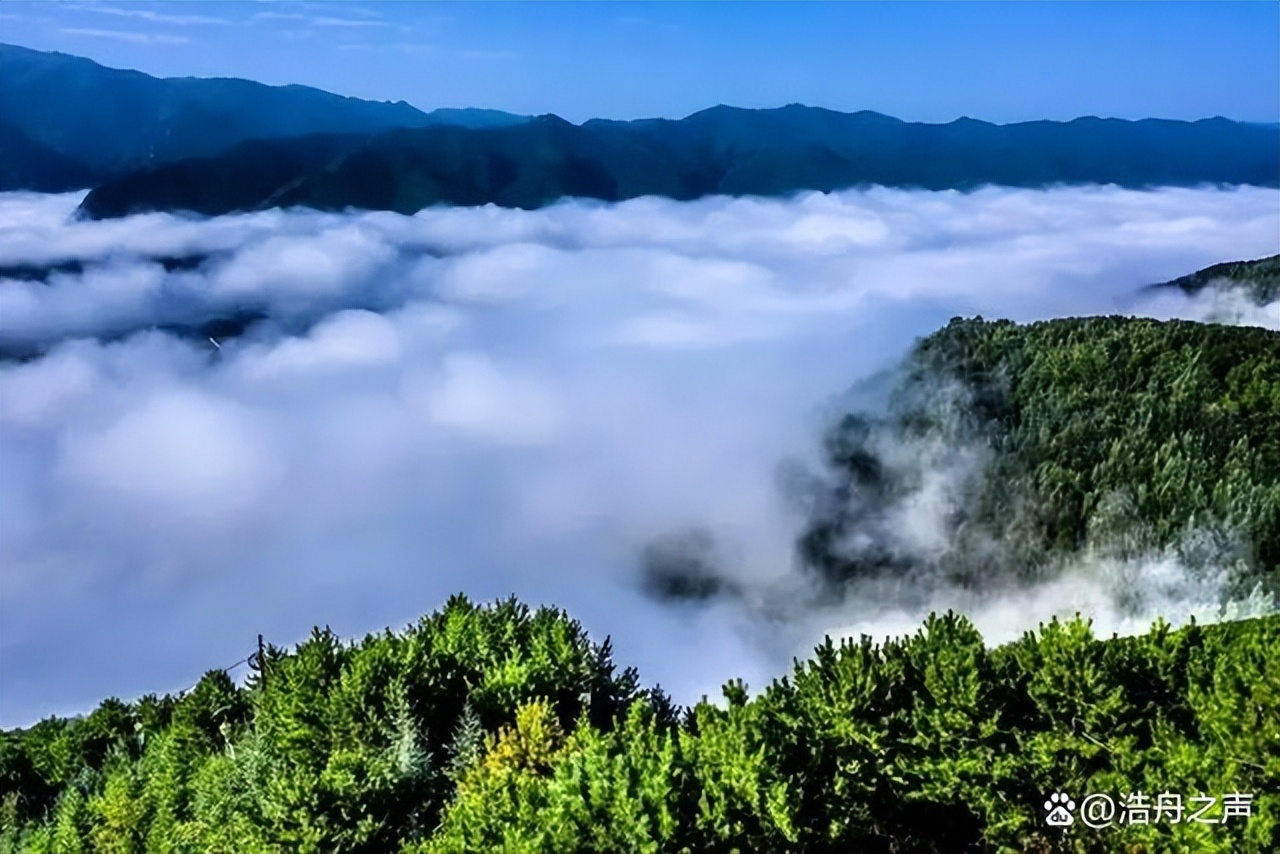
(931, 62)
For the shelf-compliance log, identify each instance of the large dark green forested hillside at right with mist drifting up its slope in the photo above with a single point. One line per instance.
(1116, 436)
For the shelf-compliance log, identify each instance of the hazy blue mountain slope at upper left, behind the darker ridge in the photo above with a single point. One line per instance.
(83, 122)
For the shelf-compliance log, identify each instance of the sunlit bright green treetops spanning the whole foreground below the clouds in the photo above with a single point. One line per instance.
(506, 730)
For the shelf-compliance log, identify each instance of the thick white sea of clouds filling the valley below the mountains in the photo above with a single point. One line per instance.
(493, 403)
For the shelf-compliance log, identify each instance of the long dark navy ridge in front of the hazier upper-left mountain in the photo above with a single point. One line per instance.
(721, 150)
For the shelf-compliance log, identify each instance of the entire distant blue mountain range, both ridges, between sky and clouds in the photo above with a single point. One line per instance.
(216, 147)
